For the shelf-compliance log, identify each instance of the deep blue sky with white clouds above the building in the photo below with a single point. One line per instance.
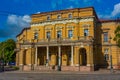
(15, 14)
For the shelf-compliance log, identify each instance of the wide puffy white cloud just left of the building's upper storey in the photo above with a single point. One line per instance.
(19, 21)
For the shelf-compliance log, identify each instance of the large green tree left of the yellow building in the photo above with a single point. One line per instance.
(7, 50)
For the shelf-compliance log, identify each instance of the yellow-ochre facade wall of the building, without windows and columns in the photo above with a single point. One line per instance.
(83, 18)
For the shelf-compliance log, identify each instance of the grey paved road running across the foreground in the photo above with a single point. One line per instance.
(58, 76)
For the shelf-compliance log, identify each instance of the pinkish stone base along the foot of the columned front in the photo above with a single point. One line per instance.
(55, 68)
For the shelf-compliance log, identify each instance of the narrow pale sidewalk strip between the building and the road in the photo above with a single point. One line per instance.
(66, 72)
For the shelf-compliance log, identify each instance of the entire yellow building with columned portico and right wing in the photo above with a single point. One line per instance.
(72, 39)
